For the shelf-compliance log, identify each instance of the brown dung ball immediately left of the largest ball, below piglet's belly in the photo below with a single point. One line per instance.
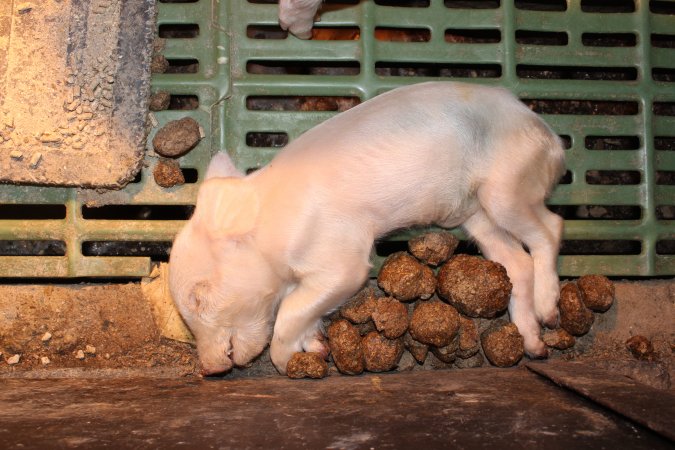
(405, 278)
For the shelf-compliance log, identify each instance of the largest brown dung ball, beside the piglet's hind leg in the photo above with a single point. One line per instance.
(475, 286)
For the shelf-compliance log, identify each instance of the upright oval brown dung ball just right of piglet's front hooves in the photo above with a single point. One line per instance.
(345, 347)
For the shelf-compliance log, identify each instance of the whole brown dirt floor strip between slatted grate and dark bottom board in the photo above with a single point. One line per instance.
(108, 331)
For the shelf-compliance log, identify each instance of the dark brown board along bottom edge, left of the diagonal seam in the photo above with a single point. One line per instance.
(472, 408)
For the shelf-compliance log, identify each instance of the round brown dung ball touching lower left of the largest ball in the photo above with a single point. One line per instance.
(434, 323)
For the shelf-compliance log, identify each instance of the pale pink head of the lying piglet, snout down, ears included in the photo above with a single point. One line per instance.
(219, 280)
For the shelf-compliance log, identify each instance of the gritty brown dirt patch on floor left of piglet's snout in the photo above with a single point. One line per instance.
(90, 327)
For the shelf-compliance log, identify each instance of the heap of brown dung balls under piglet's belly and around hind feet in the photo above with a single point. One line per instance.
(455, 318)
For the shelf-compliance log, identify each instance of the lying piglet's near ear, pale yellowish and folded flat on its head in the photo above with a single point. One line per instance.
(227, 207)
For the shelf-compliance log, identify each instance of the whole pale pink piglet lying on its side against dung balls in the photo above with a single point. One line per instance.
(292, 240)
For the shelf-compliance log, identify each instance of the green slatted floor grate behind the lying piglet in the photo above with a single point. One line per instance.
(601, 73)
